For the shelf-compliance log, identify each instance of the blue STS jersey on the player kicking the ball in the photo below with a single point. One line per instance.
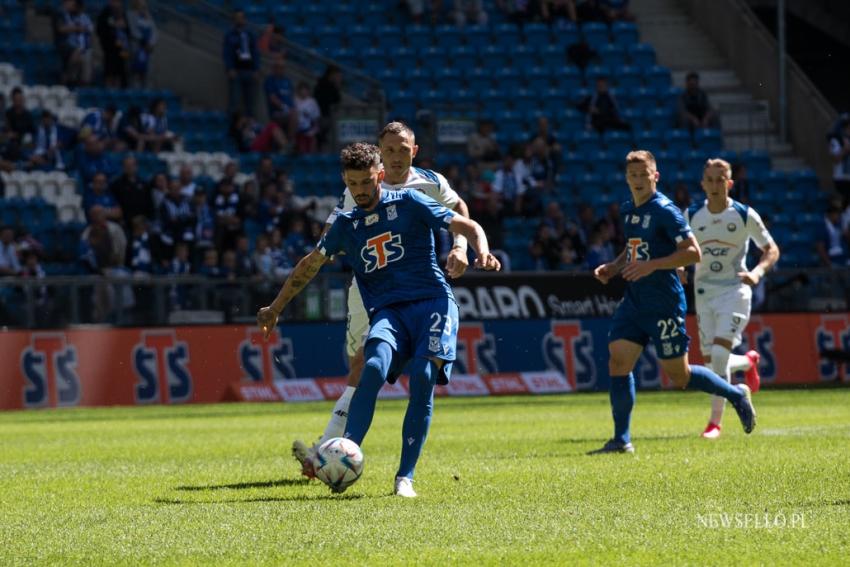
(391, 248)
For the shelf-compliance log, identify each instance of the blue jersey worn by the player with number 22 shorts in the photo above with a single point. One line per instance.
(654, 230)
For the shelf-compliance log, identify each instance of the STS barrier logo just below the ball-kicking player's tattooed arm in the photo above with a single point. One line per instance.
(266, 360)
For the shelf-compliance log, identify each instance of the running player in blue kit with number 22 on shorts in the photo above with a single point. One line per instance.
(658, 241)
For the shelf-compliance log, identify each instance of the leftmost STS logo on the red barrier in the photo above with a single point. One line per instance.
(49, 368)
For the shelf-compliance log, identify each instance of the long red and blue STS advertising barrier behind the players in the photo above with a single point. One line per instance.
(102, 367)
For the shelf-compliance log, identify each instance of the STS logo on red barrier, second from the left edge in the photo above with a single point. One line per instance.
(160, 365)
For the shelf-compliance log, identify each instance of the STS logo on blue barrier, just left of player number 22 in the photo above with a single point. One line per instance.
(569, 350)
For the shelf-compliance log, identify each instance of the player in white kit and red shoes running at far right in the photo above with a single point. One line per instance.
(723, 285)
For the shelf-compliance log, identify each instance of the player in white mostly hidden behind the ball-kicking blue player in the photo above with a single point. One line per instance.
(398, 148)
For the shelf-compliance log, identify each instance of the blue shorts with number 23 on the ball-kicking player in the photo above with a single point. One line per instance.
(418, 329)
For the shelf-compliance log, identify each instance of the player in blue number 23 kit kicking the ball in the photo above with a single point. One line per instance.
(388, 238)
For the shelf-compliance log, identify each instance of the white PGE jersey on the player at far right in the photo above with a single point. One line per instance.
(724, 239)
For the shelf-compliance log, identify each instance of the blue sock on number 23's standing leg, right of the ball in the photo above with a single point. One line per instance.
(417, 420)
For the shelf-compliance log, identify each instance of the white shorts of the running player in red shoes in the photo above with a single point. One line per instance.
(723, 315)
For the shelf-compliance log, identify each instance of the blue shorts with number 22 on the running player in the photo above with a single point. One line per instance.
(665, 329)
